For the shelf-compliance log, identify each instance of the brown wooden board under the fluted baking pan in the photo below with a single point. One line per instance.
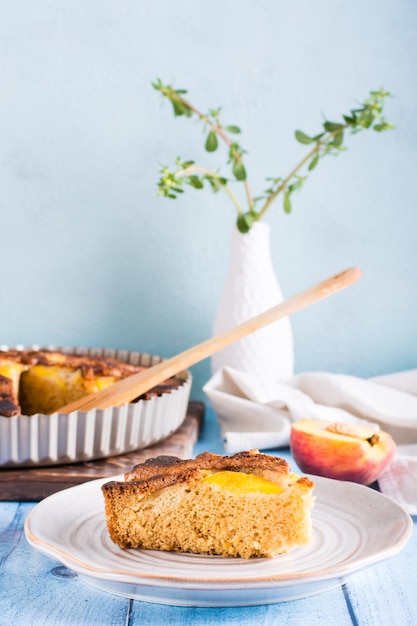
(34, 484)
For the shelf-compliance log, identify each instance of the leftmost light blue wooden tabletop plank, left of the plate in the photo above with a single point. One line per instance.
(35, 590)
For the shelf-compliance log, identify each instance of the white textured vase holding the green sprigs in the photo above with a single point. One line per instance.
(252, 287)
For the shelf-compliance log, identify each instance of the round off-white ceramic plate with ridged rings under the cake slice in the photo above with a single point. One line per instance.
(354, 527)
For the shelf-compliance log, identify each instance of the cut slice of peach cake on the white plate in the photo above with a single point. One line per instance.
(180, 505)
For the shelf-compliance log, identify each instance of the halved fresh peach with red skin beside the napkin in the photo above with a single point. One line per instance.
(344, 451)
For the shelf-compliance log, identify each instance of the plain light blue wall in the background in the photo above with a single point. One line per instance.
(91, 256)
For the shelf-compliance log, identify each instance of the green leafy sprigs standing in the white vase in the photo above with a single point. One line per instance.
(328, 142)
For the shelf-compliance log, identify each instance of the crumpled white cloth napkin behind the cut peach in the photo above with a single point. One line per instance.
(254, 412)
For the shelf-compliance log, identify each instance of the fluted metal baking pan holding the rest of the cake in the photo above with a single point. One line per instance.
(44, 440)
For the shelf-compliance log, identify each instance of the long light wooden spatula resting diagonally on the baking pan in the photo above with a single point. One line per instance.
(128, 389)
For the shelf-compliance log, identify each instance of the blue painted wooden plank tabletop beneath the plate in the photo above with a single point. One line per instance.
(35, 590)
